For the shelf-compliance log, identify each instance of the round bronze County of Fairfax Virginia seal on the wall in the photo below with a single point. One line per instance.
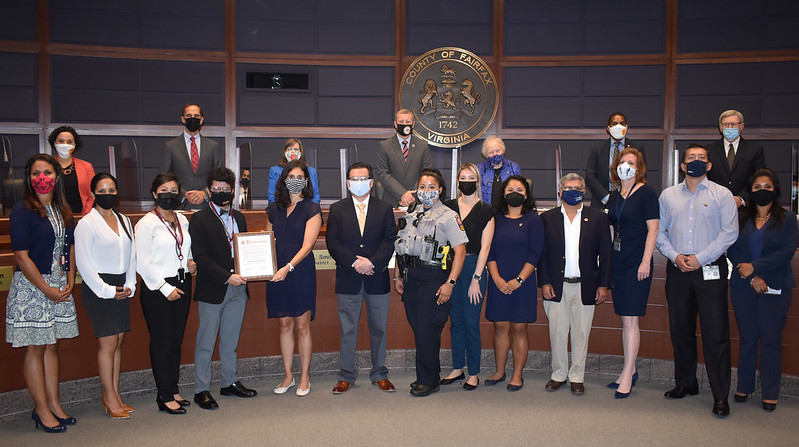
(452, 94)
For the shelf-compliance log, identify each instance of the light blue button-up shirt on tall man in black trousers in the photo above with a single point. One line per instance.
(704, 223)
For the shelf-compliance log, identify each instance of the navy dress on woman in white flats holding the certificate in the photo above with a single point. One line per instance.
(296, 294)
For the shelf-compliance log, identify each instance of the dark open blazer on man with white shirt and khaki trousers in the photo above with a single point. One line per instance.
(595, 252)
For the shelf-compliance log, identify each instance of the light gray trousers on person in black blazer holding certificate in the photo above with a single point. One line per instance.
(225, 320)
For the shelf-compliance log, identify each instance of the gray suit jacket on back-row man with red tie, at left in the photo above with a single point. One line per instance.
(176, 160)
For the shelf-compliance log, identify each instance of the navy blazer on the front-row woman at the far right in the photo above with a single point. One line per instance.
(774, 265)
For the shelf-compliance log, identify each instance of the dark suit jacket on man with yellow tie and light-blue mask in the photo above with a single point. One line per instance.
(344, 242)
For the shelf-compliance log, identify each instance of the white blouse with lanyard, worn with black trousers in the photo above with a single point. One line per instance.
(156, 254)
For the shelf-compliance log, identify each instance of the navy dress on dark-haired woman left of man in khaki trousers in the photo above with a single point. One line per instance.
(516, 242)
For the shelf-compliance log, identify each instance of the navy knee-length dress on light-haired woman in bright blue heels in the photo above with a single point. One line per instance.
(628, 218)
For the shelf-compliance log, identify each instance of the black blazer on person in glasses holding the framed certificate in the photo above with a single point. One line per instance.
(210, 249)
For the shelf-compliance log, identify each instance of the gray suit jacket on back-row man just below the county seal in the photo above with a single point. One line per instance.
(396, 175)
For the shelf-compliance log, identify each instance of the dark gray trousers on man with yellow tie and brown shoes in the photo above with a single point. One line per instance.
(349, 313)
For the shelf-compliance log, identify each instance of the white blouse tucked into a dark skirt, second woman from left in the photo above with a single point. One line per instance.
(99, 250)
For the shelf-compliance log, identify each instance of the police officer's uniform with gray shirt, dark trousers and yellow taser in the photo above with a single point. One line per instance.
(425, 238)
